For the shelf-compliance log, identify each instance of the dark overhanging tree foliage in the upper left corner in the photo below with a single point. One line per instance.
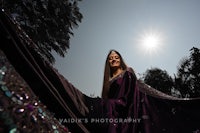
(49, 23)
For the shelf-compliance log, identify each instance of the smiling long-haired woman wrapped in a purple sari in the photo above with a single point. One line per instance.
(119, 86)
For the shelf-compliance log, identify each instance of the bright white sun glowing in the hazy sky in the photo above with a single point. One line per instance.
(150, 42)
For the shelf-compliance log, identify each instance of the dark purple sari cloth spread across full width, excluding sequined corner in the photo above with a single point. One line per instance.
(131, 107)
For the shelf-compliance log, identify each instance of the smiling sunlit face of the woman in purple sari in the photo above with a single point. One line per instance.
(114, 60)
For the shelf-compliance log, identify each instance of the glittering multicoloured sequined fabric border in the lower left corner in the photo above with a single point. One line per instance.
(20, 109)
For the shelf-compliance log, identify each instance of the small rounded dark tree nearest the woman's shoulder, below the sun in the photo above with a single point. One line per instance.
(159, 79)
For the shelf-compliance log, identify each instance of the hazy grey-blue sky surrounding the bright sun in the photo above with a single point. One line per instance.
(173, 26)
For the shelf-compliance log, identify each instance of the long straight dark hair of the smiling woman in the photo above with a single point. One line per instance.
(108, 73)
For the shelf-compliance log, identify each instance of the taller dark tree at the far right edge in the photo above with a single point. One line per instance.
(188, 74)
